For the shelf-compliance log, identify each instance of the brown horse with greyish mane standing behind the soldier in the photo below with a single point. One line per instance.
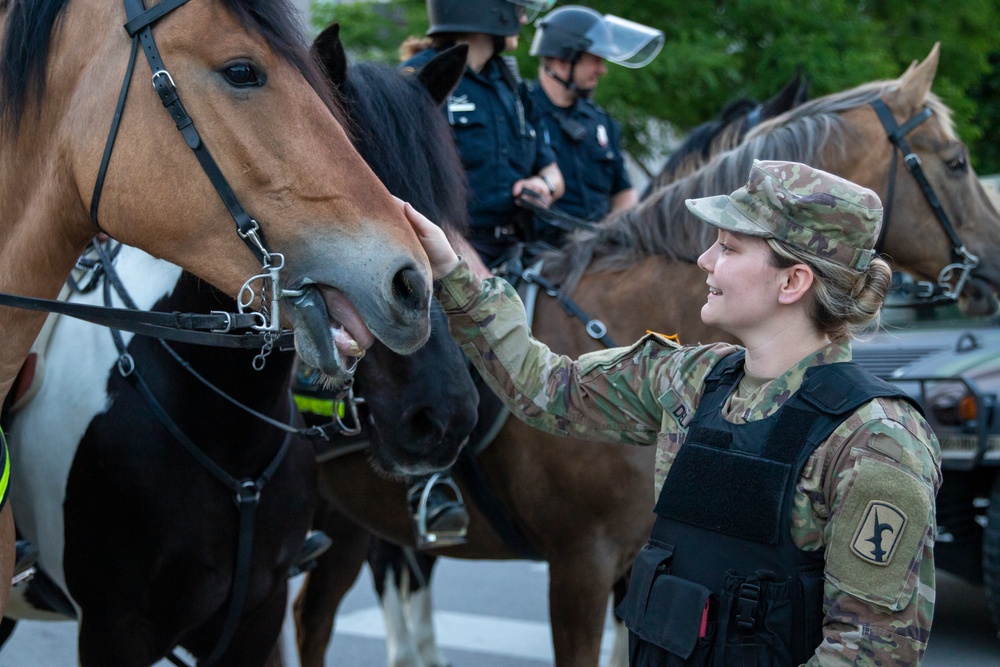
(586, 508)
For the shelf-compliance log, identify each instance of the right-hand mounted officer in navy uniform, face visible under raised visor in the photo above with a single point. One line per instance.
(574, 44)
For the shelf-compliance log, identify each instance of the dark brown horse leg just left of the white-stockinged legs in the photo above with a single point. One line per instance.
(327, 584)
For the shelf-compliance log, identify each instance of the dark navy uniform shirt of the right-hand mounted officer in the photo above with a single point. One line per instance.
(587, 144)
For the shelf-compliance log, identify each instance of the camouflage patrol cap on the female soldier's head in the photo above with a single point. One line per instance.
(809, 209)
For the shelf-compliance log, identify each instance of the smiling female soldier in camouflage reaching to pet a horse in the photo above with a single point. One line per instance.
(795, 520)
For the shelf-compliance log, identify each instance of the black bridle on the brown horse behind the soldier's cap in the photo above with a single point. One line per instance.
(952, 277)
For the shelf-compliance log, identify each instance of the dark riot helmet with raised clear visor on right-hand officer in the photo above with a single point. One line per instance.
(570, 31)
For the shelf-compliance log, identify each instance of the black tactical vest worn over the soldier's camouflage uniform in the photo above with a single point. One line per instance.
(720, 582)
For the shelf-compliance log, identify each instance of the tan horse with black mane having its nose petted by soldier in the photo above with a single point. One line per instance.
(259, 103)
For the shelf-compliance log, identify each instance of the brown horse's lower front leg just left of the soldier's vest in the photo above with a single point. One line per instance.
(579, 586)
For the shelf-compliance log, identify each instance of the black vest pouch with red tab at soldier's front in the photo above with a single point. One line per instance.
(665, 614)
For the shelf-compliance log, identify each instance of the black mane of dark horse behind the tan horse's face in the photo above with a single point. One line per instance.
(411, 148)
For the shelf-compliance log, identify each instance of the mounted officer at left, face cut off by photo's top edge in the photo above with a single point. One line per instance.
(505, 158)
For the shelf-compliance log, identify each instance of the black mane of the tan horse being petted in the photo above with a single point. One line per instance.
(31, 24)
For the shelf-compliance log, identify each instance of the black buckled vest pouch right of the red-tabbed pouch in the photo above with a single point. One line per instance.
(756, 619)
